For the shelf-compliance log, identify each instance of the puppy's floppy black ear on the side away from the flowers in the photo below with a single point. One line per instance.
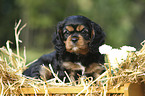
(58, 38)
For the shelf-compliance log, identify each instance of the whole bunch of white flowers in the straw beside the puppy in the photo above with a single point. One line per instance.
(116, 56)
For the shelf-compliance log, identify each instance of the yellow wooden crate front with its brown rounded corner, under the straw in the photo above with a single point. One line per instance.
(128, 89)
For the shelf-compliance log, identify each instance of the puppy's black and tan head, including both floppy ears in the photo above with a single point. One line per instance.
(78, 34)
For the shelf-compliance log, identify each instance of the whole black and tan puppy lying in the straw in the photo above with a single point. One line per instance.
(76, 41)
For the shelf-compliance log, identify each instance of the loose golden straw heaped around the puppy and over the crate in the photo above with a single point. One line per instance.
(12, 66)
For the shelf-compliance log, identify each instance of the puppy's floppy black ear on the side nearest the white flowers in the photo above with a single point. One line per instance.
(97, 38)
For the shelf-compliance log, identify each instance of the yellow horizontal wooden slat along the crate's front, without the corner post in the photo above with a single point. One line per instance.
(66, 90)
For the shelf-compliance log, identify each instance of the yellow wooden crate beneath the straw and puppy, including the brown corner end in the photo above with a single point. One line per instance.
(129, 89)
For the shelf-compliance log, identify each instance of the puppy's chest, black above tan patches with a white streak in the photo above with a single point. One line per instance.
(85, 64)
